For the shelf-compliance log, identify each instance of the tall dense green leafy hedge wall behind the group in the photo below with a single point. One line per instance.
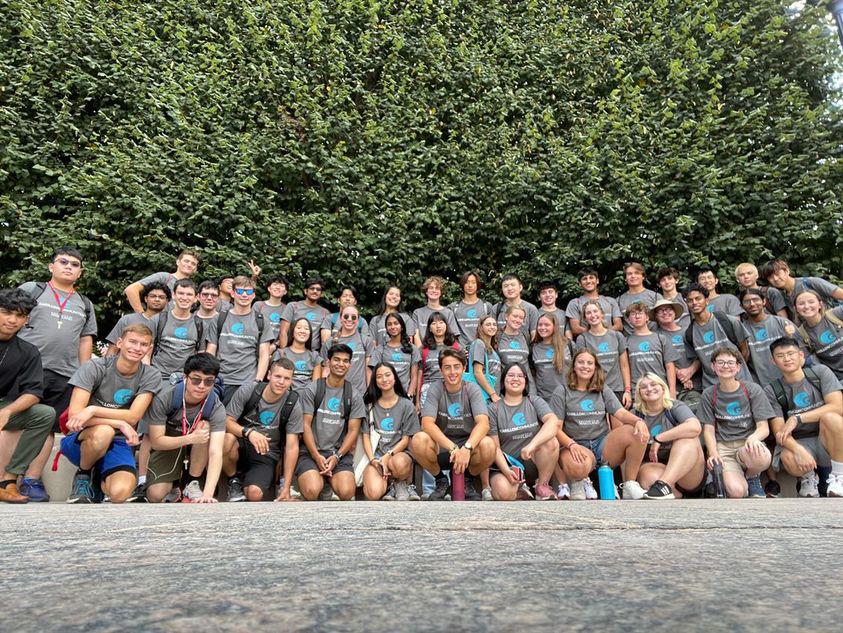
(372, 141)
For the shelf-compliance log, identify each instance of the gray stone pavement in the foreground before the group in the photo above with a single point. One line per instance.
(696, 565)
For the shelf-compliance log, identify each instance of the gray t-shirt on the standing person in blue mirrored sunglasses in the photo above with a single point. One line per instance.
(238, 345)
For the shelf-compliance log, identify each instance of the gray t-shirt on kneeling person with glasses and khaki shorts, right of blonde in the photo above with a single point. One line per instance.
(734, 415)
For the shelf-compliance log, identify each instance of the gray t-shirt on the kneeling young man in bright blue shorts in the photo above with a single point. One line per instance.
(111, 389)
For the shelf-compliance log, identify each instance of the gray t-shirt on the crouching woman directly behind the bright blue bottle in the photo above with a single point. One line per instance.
(583, 413)
